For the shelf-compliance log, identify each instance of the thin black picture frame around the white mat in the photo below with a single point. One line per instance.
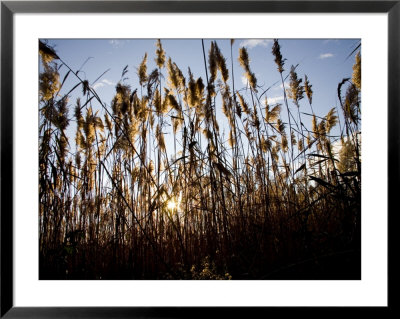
(9, 8)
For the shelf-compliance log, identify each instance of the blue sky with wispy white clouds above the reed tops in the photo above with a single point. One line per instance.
(325, 62)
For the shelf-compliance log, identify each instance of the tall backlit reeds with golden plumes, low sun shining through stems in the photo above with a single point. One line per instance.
(272, 200)
